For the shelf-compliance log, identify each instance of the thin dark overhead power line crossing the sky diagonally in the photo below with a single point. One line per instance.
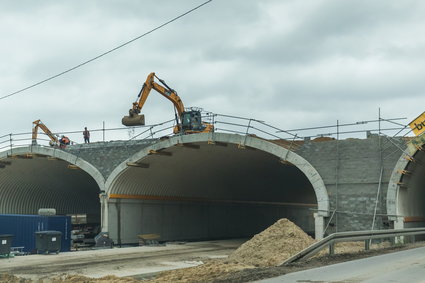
(105, 53)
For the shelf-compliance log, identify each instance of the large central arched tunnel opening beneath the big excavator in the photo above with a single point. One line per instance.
(202, 191)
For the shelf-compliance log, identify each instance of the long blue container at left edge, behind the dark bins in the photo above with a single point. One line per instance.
(23, 228)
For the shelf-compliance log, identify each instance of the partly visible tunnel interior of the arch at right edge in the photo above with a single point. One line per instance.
(411, 193)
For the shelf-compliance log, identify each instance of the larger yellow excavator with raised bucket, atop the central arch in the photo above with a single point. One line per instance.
(188, 121)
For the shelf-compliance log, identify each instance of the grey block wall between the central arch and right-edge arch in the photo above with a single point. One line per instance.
(351, 171)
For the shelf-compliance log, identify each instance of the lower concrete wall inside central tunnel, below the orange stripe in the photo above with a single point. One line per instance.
(197, 220)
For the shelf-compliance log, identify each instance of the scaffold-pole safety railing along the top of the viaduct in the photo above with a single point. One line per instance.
(222, 123)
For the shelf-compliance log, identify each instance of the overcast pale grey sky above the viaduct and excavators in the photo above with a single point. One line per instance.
(292, 64)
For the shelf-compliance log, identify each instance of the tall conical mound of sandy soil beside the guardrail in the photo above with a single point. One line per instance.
(273, 246)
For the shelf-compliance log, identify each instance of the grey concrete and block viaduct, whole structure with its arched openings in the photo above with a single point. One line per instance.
(206, 186)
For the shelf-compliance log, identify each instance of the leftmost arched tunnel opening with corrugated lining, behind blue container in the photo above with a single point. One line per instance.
(33, 181)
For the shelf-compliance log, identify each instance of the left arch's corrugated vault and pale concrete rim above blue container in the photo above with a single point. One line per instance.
(27, 184)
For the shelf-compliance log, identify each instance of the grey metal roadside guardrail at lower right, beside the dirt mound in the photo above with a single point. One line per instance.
(366, 235)
